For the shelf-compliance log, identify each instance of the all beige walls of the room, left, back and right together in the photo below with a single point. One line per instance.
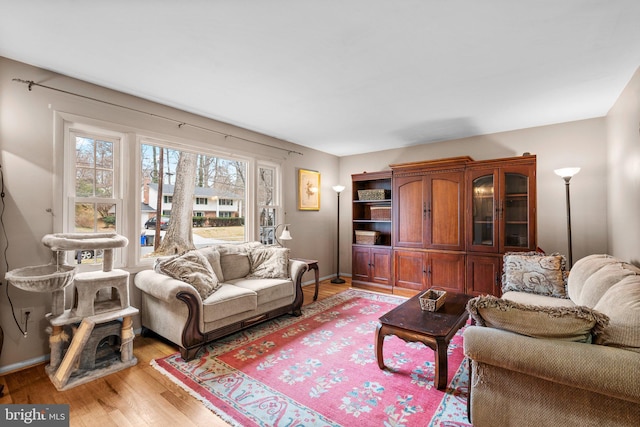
(27, 153)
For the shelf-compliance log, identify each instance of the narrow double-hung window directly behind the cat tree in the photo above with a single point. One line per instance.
(92, 188)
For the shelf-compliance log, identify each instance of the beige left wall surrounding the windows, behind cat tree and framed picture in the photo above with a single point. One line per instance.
(27, 121)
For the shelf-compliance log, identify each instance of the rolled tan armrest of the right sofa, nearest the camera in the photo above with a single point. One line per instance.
(601, 369)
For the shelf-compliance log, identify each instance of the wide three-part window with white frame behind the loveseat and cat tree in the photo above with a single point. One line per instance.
(109, 181)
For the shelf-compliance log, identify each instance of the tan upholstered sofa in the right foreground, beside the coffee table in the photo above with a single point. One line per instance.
(556, 361)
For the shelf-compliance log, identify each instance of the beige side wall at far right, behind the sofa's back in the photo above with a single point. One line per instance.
(623, 135)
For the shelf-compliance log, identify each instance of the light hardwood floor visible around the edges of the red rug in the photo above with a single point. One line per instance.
(137, 396)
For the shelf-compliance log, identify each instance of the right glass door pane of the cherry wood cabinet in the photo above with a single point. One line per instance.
(516, 210)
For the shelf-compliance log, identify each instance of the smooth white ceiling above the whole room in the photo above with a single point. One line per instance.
(343, 76)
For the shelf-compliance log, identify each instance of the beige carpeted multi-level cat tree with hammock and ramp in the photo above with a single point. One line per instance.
(94, 337)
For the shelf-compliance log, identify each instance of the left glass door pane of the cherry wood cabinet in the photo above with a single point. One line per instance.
(483, 222)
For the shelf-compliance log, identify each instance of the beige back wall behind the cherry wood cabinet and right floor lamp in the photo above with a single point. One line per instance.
(581, 143)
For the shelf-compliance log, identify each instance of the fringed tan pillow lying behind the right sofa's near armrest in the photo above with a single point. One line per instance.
(562, 323)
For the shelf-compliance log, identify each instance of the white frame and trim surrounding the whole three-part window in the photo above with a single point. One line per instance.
(127, 179)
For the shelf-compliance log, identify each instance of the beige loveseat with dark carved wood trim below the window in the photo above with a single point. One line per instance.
(211, 292)
